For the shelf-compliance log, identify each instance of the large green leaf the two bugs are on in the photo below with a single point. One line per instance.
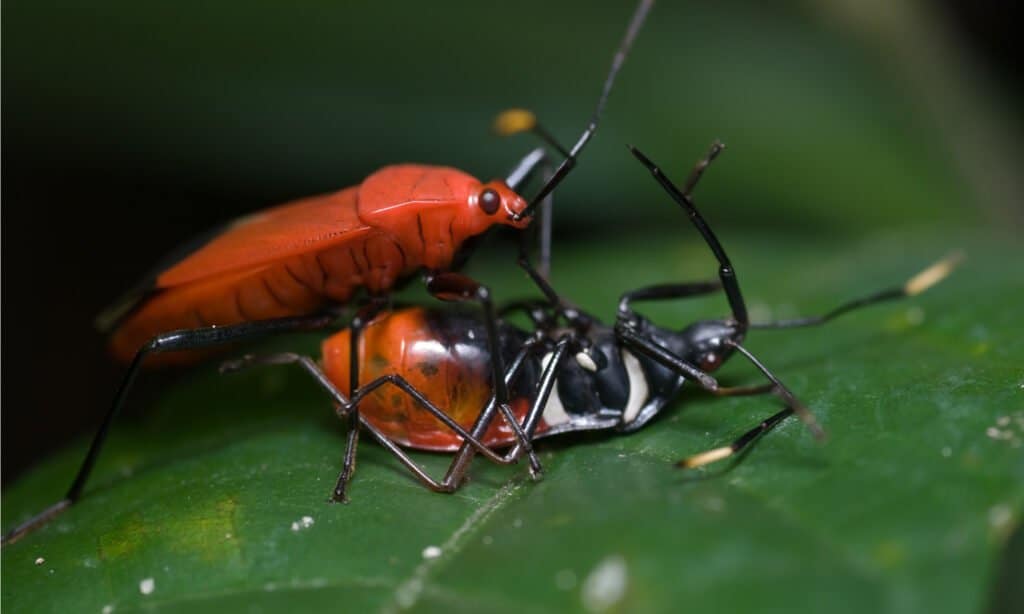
(904, 510)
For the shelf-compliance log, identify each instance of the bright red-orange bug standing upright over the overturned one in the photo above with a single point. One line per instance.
(287, 269)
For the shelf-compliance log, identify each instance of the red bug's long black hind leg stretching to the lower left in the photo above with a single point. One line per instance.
(175, 341)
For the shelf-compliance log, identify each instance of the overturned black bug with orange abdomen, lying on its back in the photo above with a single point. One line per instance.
(558, 379)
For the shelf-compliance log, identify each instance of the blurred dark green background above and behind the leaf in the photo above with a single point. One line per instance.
(130, 127)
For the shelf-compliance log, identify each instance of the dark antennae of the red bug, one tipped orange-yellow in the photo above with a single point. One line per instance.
(519, 120)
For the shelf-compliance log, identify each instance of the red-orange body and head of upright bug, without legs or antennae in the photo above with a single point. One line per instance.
(292, 259)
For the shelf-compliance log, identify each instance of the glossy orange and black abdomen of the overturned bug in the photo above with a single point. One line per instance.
(454, 377)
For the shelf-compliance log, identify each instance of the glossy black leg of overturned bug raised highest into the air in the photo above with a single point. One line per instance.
(726, 271)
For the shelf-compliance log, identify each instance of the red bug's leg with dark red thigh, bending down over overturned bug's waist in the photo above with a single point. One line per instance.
(455, 287)
